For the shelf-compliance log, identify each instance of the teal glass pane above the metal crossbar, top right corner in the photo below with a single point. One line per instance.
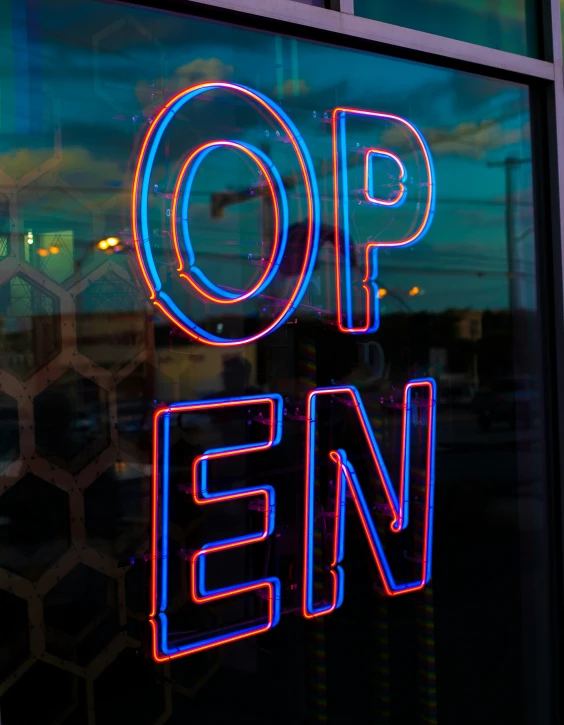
(510, 25)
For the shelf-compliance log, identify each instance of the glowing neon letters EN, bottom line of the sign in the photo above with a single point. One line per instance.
(269, 588)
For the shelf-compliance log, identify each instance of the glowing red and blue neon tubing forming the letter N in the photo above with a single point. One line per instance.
(346, 476)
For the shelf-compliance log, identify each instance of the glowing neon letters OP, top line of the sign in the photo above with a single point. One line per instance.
(211, 293)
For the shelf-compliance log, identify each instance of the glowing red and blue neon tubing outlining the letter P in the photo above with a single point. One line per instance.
(342, 223)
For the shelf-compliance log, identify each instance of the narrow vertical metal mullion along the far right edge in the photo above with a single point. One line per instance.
(549, 175)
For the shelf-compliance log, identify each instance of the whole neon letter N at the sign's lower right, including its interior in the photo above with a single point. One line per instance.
(363, 477)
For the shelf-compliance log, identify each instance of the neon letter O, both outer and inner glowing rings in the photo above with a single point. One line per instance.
(139, 217)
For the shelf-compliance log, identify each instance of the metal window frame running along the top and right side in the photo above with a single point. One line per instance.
(337, 25)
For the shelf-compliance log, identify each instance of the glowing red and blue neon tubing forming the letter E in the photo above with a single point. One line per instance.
(159, 560)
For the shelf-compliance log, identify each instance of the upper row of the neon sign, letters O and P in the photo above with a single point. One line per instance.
(395, 144)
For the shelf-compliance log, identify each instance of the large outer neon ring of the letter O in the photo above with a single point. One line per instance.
(139, 206)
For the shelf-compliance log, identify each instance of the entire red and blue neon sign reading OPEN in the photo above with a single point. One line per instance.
(347, 482)
